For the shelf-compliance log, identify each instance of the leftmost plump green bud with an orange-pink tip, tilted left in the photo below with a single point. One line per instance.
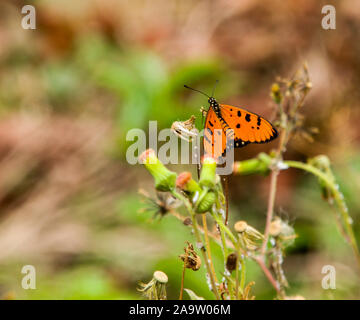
(164, 178)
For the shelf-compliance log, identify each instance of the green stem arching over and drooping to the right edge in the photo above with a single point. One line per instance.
(338, 197)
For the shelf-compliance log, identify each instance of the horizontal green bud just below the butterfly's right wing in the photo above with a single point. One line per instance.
(259, 165)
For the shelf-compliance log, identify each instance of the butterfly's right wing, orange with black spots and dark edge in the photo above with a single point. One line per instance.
(248, 127)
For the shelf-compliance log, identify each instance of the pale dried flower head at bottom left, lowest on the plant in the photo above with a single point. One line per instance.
(156, 288)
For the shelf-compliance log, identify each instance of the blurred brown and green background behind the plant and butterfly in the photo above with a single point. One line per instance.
(92, 70)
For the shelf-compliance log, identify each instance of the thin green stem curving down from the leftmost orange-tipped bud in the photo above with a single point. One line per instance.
(199, 240)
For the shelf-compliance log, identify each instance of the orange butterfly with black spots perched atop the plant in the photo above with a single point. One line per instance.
(229, 127)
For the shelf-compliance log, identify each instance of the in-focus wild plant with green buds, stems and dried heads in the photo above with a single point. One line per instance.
(204, 201)
